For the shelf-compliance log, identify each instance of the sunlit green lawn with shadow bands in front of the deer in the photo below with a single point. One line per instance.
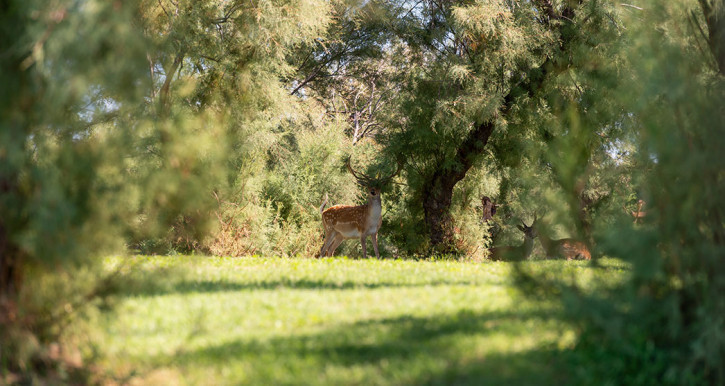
(204, 320)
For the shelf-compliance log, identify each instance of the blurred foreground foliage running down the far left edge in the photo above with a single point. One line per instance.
(64, 196)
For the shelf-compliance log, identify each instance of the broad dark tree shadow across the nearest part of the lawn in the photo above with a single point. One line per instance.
(448, 348)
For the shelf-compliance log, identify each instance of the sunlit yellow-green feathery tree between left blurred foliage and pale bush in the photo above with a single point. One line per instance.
(228, 59)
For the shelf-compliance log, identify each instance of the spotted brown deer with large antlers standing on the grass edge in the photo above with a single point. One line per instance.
(342, 222)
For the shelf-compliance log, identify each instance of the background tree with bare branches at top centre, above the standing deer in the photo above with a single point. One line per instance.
(350, 71)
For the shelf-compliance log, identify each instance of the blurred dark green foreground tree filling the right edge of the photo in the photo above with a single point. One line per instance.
(664, 324)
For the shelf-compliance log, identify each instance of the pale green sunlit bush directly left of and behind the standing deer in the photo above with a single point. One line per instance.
(277, 211)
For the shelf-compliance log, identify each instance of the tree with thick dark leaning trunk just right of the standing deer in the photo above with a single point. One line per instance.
(479, 67)
